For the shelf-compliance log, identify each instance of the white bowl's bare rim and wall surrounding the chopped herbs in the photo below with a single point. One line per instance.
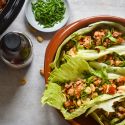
(31, 18)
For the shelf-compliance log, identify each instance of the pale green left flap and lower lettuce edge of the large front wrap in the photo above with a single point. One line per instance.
(53, 96)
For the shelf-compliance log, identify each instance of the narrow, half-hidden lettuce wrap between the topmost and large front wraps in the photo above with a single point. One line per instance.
(112, 62)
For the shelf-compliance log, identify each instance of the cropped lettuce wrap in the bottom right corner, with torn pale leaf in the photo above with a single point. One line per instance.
(110, 112)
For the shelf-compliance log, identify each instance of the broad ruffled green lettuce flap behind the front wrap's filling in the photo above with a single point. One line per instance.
(71, 70)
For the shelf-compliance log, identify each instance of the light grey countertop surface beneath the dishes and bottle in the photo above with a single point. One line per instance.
(20, 104)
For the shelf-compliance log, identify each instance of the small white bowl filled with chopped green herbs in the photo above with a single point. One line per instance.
(47, 15)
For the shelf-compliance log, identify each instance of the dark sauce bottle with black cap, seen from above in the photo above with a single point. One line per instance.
(16, 49)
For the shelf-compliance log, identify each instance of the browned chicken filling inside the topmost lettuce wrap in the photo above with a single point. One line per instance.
(101, 37)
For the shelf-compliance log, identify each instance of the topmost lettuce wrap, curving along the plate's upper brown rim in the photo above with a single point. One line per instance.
(92, 42)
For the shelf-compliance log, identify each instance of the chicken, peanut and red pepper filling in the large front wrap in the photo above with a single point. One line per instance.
(83, 90)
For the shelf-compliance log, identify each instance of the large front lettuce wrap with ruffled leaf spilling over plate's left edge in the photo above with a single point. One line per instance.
(75, 87)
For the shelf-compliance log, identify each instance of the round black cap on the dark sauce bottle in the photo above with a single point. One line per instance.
(11, 41)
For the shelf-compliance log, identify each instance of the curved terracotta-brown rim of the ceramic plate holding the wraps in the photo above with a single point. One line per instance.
(59, 38)
